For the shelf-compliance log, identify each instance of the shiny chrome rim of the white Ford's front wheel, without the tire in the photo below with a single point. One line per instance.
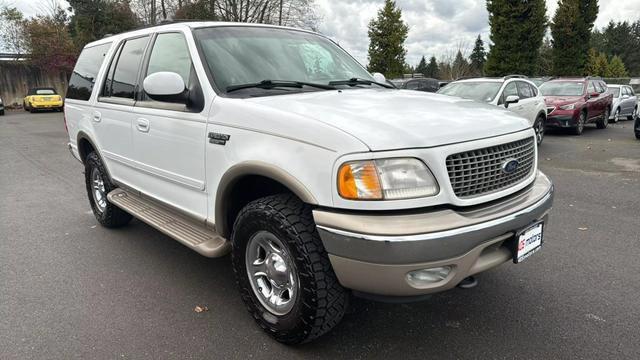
(271, 272)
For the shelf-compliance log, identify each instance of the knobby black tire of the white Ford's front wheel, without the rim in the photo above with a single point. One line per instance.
(321, 301)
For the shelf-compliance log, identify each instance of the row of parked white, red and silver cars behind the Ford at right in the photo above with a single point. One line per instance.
(568, 103)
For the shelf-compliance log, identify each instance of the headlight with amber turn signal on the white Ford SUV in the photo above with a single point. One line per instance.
(386, 179)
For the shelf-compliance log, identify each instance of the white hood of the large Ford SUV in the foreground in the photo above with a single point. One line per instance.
(386, 119)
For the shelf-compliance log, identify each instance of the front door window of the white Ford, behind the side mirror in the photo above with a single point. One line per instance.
(170, 53)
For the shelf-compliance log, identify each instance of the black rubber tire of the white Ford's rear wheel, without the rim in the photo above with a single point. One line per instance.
(112, 216)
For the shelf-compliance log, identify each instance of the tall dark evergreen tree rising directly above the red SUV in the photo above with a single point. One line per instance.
(571, 31)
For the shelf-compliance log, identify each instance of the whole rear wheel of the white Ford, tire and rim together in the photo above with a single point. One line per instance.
(98, 186)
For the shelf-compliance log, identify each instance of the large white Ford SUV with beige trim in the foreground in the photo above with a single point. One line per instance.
(322, 181)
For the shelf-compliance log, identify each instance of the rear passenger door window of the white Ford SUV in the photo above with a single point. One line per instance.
(125, 75)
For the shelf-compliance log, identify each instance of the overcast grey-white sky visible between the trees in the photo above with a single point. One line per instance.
(437, 27)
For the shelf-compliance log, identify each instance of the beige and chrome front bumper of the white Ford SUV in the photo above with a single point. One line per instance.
(374, 253)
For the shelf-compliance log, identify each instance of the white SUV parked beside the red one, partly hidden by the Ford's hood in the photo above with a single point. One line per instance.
(514, 92)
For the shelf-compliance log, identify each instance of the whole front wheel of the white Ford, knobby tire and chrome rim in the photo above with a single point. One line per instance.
(283, 271)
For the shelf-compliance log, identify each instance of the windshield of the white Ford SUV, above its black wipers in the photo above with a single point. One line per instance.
(239, 55)
